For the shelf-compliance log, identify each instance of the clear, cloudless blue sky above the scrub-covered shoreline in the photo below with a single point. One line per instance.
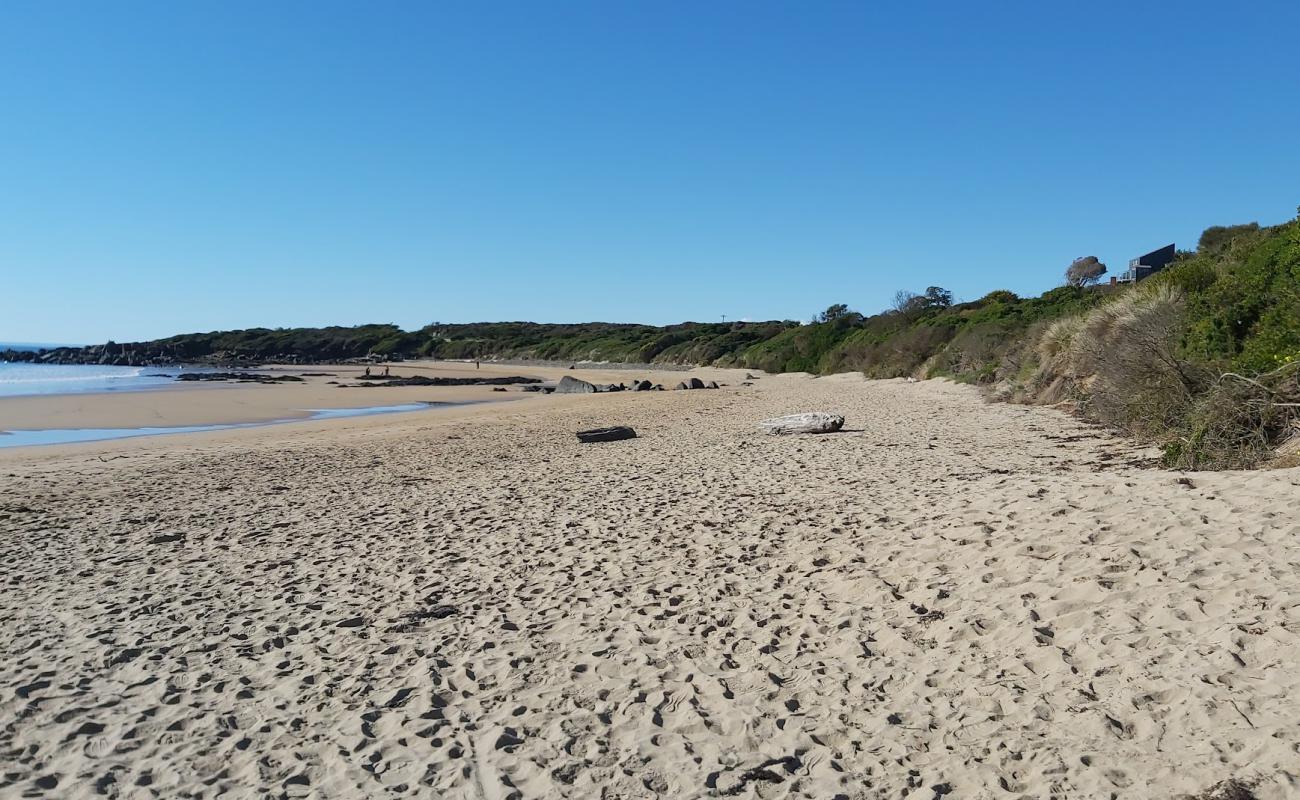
(175, 167)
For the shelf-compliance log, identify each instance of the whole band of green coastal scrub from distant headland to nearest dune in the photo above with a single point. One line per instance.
(1202, 357)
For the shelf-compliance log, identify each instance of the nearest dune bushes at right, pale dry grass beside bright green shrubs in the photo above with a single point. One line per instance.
(1202, 358)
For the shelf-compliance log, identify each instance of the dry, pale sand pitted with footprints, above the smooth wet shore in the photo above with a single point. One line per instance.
(950, 599)
